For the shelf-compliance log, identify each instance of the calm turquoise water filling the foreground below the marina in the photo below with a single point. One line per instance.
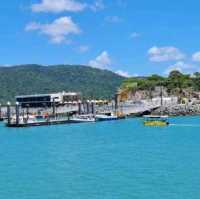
(108, 160)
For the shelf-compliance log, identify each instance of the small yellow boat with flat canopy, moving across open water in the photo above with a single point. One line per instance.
(153, 120)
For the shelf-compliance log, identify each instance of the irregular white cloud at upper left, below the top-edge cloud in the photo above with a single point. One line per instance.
(57, 31)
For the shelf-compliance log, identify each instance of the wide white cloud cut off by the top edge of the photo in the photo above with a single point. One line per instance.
(58, 6)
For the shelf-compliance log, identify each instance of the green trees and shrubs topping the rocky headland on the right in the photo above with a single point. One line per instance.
(176, 83)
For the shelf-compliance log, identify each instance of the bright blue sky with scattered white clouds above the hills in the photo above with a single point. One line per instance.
(128, 37)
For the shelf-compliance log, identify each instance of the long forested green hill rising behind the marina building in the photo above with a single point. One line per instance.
(33, 79)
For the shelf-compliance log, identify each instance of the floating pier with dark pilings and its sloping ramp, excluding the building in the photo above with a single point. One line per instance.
(18, 116)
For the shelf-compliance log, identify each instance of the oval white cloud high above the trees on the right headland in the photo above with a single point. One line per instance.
(162, 54)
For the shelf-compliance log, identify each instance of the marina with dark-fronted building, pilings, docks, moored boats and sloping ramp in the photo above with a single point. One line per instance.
(67, 108)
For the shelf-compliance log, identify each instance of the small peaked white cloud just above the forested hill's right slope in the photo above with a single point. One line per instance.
(102, 61)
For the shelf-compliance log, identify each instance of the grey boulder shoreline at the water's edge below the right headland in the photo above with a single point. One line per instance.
(179, 110)
